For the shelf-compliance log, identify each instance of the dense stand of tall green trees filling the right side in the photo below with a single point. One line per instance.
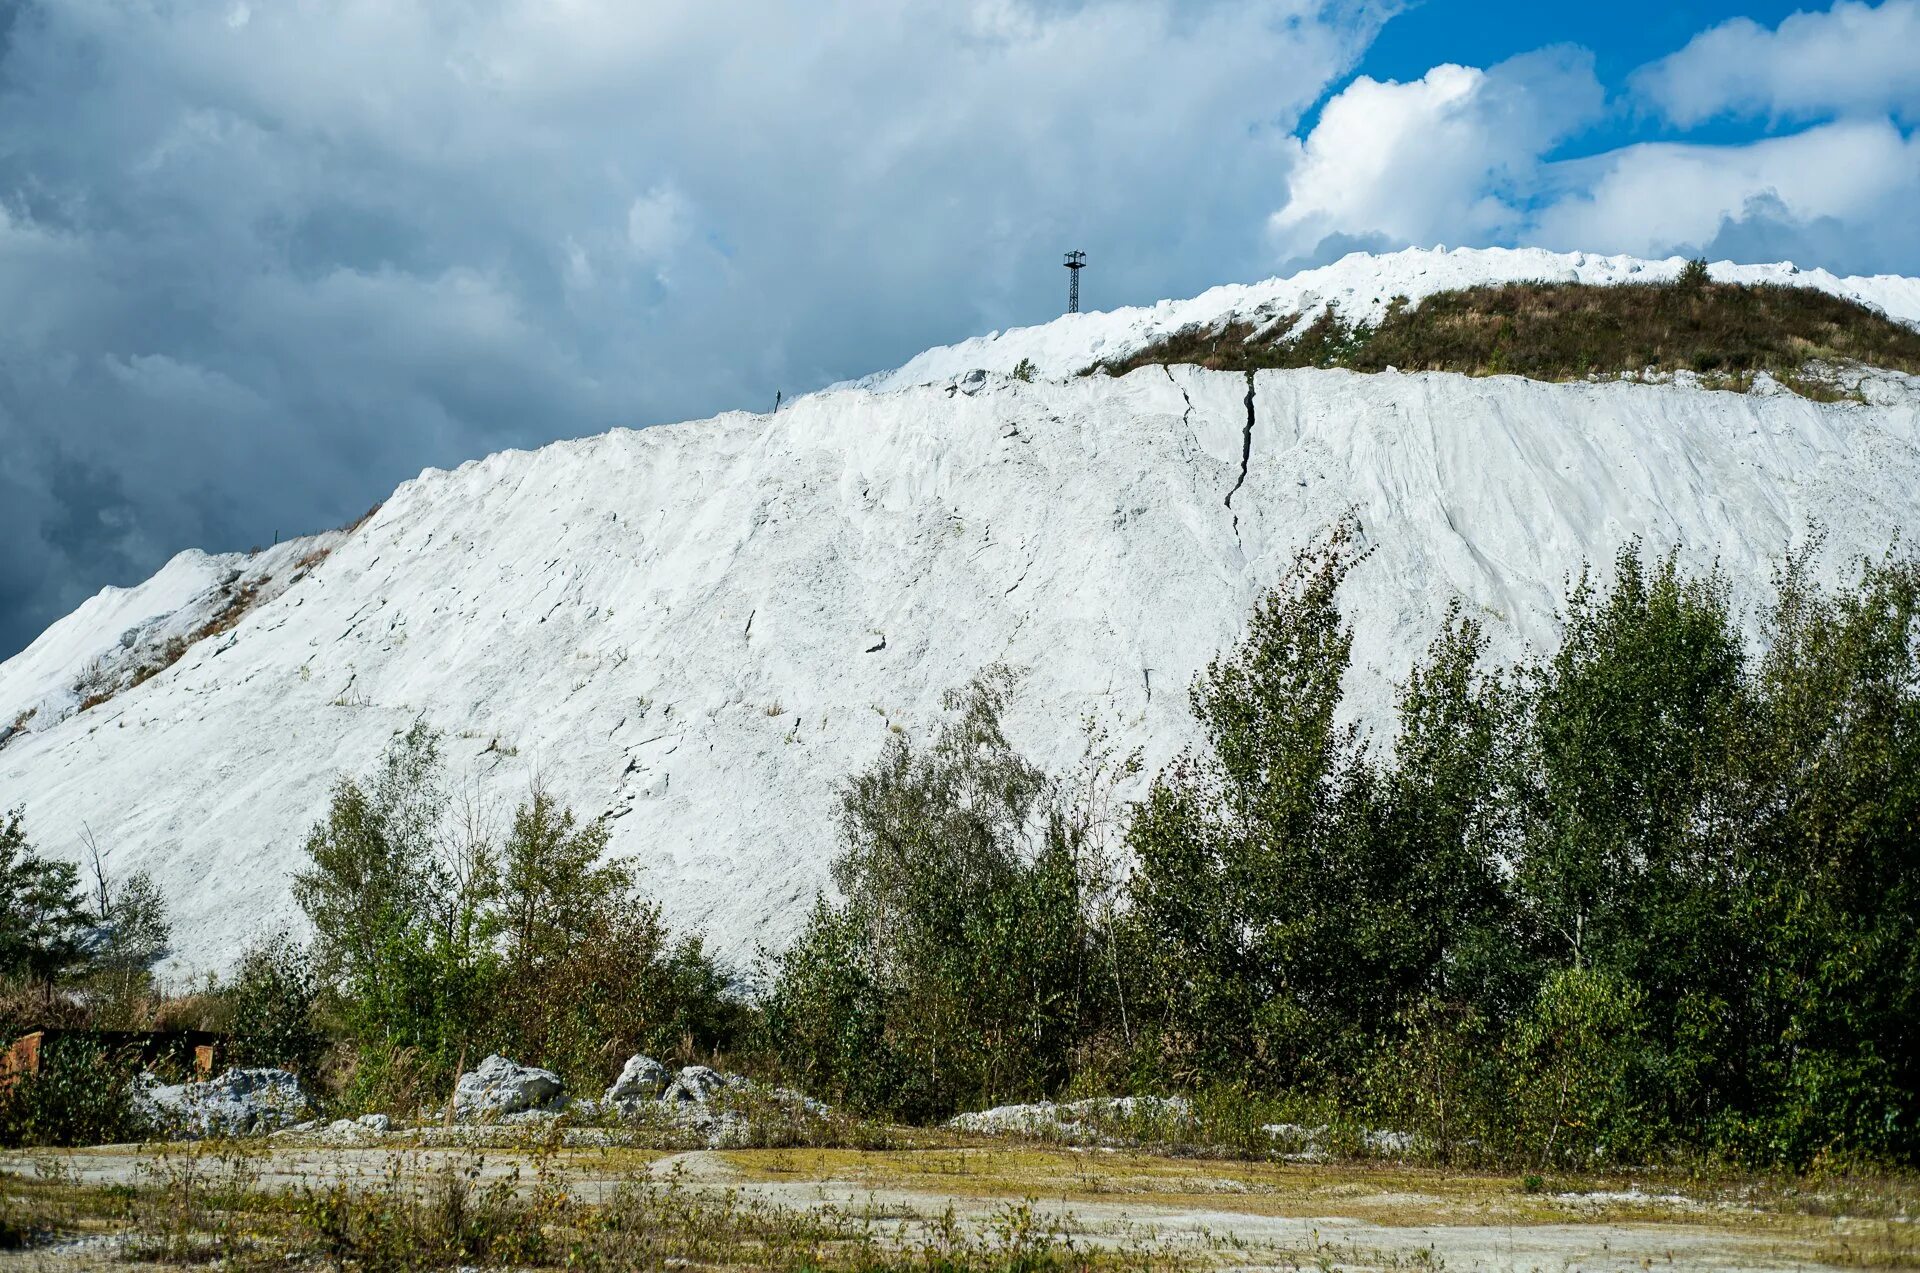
(1652, 890)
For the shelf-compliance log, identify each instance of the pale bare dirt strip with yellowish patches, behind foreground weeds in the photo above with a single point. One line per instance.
(1199, 1213)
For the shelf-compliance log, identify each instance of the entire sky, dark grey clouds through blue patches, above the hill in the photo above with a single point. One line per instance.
(262, 260)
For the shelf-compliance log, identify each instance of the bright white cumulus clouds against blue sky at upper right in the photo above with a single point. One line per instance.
(1472, 156)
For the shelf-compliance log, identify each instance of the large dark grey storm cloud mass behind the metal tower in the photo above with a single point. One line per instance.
(264, 262)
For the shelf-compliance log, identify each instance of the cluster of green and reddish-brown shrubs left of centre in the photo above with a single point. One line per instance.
(437, 944)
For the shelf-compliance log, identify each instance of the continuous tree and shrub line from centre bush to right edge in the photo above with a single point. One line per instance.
(1648, 892)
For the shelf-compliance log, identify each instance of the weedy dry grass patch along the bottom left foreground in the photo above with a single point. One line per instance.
(218, 1205)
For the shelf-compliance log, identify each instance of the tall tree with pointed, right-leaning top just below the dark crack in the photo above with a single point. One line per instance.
(1253, 877)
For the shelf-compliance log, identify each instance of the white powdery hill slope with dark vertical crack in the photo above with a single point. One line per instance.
(700, 629)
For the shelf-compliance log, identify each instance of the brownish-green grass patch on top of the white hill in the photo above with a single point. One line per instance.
(1560, 331)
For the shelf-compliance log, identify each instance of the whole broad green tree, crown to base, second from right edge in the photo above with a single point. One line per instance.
(1637, 817)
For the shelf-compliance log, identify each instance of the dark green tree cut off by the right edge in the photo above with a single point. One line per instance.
(1836, 892)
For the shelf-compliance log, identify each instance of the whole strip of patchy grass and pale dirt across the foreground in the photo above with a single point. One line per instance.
(932, 1203)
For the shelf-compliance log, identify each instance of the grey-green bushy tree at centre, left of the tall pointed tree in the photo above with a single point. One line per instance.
(967, 961)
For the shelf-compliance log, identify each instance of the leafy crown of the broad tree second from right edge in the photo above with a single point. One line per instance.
(1633, 723)
